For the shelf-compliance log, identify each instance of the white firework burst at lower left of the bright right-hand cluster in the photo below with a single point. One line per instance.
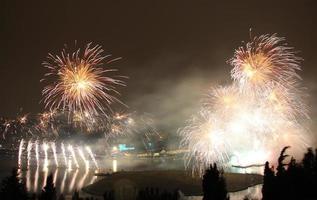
(205, 142)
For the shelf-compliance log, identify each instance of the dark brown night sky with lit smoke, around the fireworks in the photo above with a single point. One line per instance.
(172, 50)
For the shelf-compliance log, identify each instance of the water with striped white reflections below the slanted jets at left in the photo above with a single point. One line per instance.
(68, 178)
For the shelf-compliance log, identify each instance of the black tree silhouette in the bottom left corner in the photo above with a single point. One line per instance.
(13, 188)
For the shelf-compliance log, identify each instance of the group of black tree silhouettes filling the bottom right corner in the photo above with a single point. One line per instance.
(293, 180)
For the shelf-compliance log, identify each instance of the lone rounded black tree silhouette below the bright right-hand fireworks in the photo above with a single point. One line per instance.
(214, 184)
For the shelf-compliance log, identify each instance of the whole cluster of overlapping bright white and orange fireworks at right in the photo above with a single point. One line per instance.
(262, 110)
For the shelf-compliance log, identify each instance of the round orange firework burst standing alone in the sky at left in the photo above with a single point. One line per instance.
(82, 85)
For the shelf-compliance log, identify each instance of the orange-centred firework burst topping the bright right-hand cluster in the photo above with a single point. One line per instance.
(264, 60)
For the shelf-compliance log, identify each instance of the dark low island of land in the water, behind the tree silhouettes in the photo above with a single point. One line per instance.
(130, 182)
